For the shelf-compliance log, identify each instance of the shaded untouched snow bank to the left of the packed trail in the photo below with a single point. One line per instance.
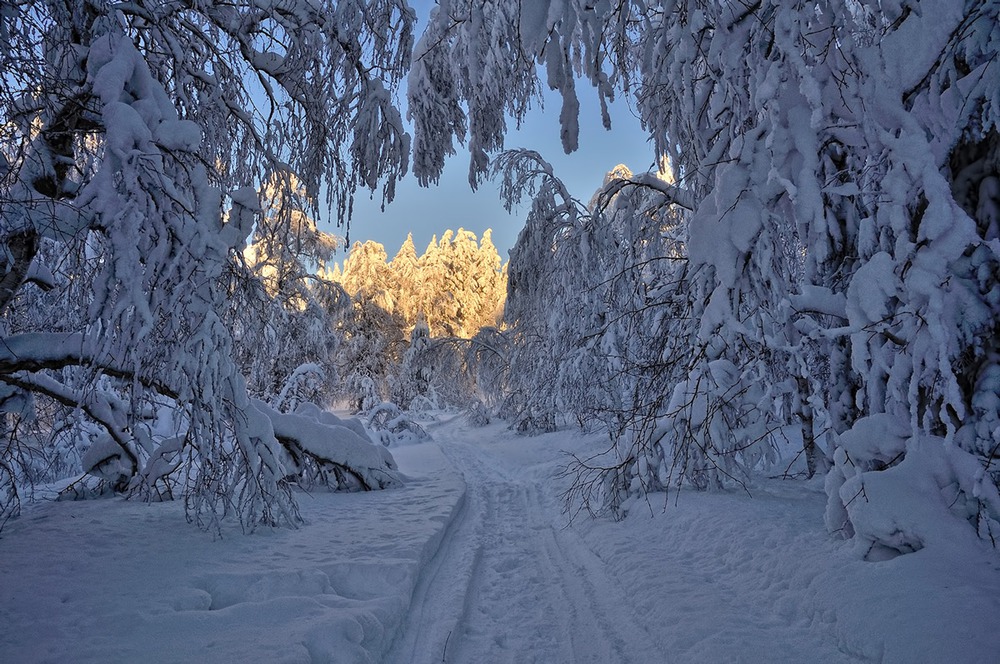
(116, 581)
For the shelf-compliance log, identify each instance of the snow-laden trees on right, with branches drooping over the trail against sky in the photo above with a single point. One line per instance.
(842, 243)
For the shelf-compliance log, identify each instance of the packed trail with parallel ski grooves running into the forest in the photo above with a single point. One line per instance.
(510, 584)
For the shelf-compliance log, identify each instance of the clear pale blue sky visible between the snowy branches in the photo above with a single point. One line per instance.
(426, 212)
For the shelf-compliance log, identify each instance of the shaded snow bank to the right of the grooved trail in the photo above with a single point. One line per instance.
(720, 577)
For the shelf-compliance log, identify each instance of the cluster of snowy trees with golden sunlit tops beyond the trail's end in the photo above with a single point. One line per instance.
(443, 297)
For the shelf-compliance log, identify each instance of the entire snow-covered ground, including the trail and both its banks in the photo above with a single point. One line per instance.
(473, 561)
